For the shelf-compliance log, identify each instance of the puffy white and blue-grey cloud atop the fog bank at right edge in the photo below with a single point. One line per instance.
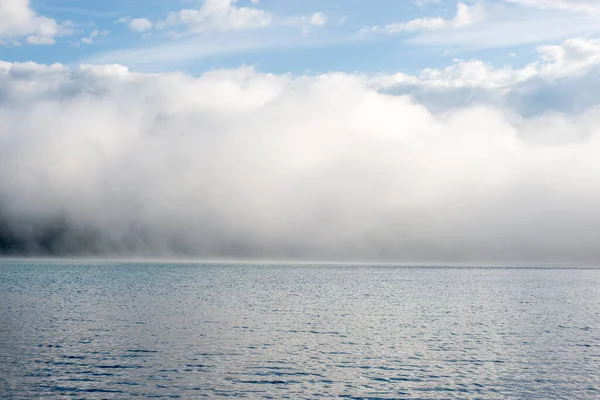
(562, 80)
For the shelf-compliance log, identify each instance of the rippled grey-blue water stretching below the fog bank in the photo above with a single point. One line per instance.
(149, 330)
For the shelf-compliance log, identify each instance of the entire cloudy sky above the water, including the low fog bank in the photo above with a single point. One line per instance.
(425, 131)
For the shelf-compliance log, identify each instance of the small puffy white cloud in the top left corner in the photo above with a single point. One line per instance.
(19, 20)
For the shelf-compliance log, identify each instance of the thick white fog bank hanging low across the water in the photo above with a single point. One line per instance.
(236, 164)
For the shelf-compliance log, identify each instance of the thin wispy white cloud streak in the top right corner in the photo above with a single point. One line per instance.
(489, 25)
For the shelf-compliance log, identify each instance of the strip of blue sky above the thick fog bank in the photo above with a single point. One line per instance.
(353, 36)
